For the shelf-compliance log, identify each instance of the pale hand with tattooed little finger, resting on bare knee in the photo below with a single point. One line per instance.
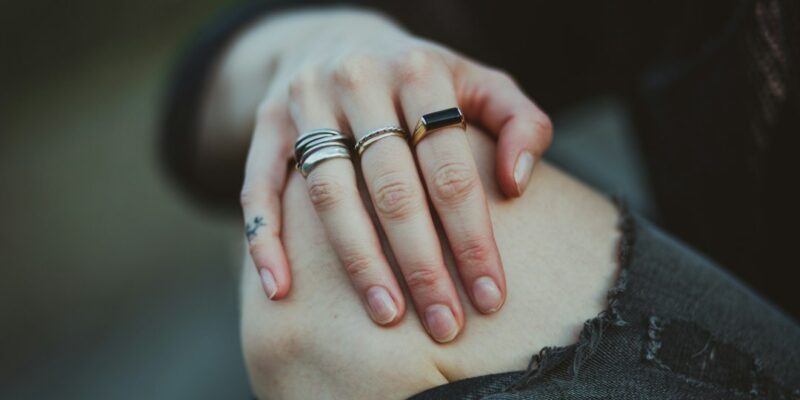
(358, 73)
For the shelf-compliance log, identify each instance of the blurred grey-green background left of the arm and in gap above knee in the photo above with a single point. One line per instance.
(112, 284)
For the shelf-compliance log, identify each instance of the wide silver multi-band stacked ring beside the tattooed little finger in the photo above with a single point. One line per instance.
(314, 147)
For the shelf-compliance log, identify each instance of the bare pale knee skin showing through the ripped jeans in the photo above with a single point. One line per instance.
(558, 243)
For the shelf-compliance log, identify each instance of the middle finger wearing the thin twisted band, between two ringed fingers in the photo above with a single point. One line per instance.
(398, 196)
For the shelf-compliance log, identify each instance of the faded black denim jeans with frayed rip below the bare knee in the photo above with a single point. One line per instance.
(676, 327)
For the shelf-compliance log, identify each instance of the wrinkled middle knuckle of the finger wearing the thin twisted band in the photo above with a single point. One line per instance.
(395, 197)
